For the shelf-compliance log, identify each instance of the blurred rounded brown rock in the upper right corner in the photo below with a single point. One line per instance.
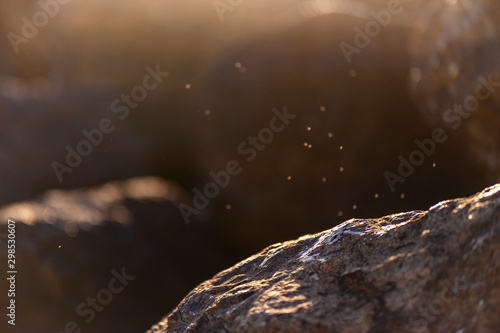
(455, 75)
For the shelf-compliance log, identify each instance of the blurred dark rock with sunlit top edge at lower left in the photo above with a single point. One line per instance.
(70, 244)
